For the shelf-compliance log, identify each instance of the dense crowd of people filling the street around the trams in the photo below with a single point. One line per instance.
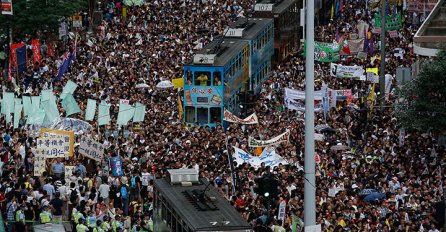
(151, 44)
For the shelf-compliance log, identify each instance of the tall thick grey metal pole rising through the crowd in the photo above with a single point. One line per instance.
(310, 179)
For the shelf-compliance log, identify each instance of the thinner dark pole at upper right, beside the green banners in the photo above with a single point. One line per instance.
(382, 73)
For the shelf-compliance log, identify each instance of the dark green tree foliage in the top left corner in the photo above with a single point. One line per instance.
(31, 16)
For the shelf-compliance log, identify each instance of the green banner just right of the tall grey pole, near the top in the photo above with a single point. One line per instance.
(325, 52)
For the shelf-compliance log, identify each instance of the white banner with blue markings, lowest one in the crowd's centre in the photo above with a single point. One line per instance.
(268, 156)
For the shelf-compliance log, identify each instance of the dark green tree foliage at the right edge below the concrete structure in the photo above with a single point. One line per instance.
(424, 105)
